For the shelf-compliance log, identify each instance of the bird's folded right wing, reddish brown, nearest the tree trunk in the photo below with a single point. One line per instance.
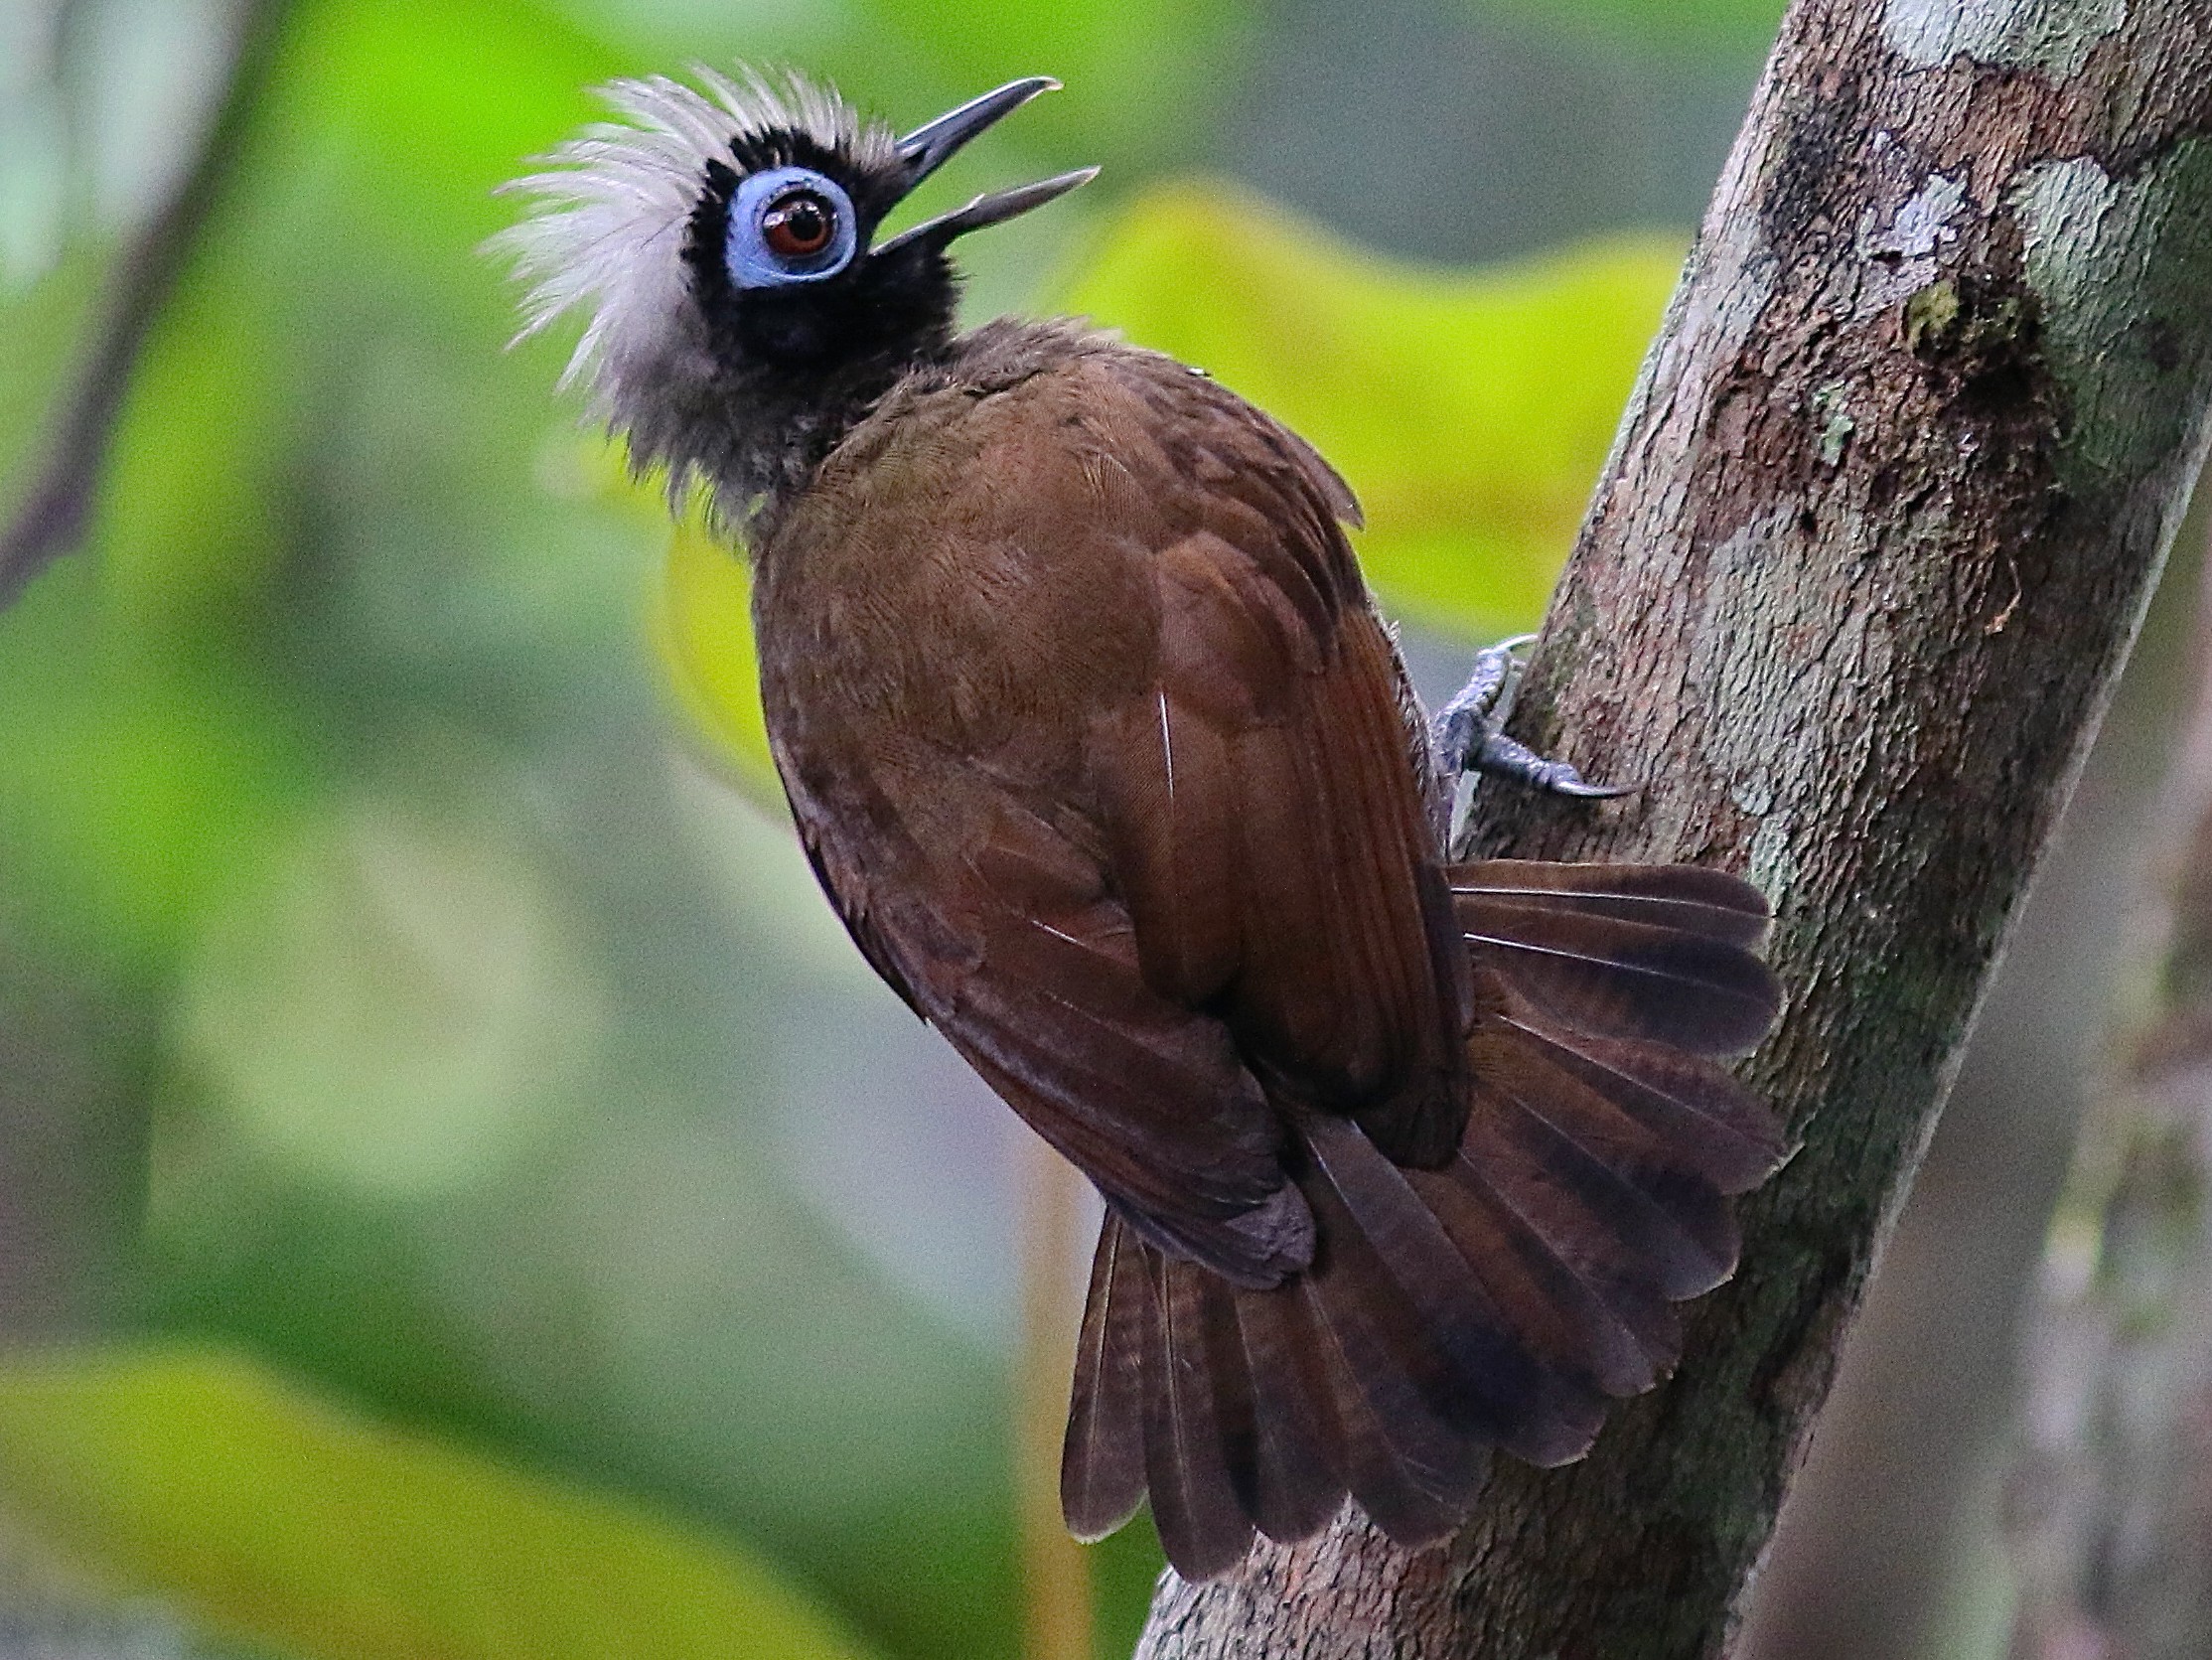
(1264, 813)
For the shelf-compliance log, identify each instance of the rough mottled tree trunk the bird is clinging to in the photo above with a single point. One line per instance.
(1879, 530)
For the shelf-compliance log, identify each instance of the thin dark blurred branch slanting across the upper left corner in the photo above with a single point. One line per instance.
(54, 512)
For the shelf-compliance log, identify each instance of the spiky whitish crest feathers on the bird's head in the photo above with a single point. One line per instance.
(612, 209)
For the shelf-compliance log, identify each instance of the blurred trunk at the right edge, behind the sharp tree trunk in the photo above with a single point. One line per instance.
(2111, 1506)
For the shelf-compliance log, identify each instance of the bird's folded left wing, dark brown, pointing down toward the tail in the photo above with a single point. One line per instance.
(1014, 948)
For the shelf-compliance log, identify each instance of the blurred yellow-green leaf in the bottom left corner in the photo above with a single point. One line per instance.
(273, 1517)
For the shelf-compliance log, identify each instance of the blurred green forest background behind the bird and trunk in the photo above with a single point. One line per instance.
(459, 1190)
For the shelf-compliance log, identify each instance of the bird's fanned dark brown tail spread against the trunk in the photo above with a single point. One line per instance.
(1496, 1303)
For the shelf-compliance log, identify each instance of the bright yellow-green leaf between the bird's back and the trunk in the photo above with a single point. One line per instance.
(1470, 411)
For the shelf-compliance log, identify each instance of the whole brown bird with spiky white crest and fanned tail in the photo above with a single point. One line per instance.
(1107, 760)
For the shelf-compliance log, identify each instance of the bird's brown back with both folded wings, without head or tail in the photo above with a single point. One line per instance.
(1098, 749)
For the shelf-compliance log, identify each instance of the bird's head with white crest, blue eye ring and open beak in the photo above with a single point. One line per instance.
(724, 242)
